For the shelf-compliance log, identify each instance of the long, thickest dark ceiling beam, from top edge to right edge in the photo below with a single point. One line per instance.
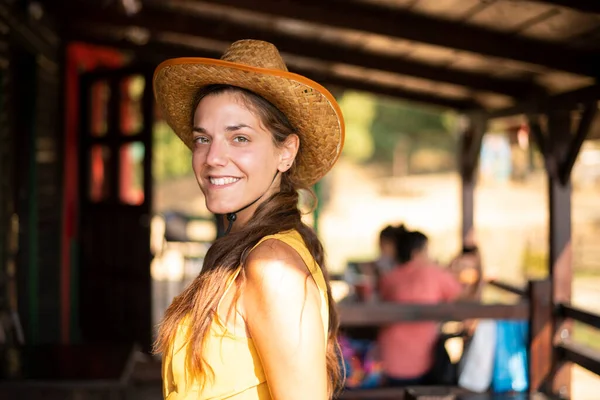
(421, 28)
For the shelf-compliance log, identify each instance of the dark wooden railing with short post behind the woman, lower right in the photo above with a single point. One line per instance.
(534, 305)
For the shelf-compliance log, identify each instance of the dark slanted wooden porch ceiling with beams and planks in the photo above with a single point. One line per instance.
(461, 54)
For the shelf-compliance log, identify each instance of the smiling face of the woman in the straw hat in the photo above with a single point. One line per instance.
(234, 156)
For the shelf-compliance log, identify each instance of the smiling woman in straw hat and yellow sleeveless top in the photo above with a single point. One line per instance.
(259, 321)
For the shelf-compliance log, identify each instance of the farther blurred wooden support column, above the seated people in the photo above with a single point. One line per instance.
(470, 146)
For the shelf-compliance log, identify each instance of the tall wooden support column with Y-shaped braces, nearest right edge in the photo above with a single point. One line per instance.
(560, 147)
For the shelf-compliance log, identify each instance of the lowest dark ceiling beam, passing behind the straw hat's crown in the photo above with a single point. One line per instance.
(160, 51)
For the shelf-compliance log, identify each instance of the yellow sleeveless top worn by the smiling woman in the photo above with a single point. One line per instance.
(238, 372)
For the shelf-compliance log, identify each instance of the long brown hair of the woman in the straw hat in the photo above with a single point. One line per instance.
(199, 301)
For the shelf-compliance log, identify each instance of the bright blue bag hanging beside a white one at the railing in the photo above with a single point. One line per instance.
(511, 359)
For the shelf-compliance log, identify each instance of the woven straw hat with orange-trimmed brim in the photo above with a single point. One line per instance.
(257, 66)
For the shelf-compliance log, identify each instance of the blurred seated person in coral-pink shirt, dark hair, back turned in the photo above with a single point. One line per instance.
(407, 348)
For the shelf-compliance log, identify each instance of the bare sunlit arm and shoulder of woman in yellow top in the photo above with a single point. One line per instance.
(282, 311)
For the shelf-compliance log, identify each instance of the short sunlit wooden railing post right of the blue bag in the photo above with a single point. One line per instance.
(540, 333)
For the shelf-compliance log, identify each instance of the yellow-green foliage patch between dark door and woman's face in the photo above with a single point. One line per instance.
(172, 159)
